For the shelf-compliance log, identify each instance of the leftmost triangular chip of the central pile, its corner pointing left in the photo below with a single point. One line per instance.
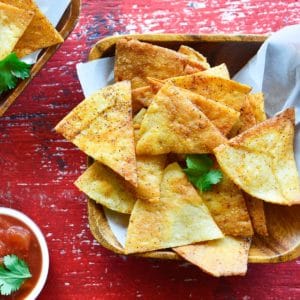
(101, 126)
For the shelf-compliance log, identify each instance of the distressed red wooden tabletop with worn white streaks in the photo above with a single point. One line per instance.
(38, 167)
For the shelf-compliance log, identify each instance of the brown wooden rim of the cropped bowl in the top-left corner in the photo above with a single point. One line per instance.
(65, 27)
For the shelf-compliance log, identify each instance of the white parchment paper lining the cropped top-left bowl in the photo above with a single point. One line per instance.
(53, 10)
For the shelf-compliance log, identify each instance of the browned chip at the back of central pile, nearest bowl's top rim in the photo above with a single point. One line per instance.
(136, 61)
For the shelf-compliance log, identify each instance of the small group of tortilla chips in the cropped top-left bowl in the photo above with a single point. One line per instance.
(24, 28)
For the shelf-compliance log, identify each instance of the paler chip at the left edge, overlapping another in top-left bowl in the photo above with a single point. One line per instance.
(13, 23)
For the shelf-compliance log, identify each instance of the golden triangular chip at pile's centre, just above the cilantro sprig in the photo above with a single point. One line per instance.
(174, 124)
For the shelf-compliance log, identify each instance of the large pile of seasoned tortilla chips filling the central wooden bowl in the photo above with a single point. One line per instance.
(163, 106)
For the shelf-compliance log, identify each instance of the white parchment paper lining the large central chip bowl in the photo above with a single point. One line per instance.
(275, 71)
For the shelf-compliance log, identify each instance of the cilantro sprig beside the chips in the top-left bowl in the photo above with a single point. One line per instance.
(11, 70)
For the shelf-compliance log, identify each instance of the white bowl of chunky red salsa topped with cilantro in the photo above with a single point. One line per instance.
(24, 256)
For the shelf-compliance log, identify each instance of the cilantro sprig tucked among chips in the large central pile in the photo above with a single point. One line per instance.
(200, 171)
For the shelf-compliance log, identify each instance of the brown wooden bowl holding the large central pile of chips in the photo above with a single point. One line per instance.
(283, 242)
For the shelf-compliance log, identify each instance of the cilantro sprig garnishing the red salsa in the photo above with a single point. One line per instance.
(13, 273)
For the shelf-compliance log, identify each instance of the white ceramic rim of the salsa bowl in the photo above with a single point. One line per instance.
(41, 239)
